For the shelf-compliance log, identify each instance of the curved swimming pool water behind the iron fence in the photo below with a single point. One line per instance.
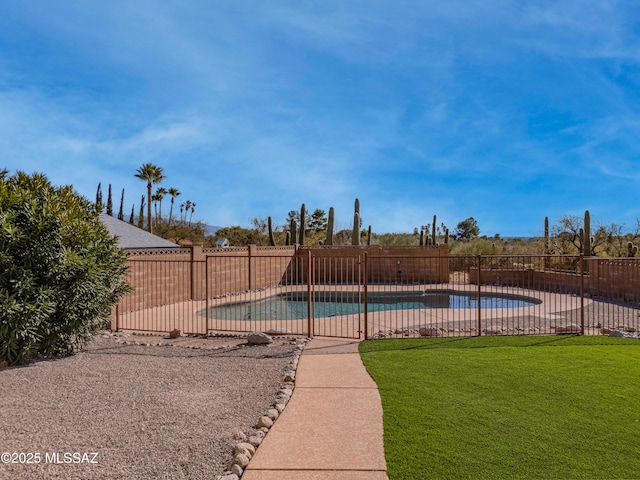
(294, 305)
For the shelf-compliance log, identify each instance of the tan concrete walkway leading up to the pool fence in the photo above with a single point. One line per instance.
(332, 427)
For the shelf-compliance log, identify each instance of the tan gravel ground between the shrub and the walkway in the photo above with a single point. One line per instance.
(147, 411)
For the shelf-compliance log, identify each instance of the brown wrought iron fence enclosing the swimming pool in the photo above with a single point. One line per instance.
(354, 294)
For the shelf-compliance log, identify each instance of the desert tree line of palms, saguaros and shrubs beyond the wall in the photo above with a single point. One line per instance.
(564, 237)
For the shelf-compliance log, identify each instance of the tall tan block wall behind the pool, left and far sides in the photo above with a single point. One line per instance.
(167, 276)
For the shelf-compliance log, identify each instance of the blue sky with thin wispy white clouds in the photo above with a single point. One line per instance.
(507, 111)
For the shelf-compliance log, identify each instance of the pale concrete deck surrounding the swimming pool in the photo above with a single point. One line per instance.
(186, 316)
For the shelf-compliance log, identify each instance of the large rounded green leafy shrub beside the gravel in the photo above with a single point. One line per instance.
(60, 271)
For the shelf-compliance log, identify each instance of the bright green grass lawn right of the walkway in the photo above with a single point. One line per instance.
(509, 407)
